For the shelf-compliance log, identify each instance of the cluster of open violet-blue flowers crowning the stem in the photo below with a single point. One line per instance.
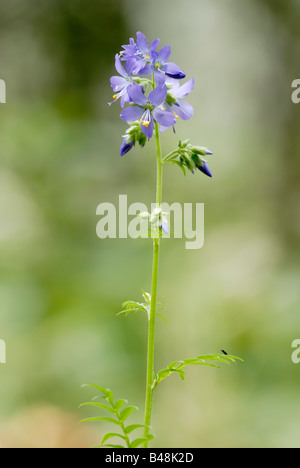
(148, 88)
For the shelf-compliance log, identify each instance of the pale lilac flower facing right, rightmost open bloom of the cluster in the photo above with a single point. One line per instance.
(174, 102)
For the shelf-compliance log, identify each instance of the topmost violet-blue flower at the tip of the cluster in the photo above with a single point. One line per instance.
(138, 54)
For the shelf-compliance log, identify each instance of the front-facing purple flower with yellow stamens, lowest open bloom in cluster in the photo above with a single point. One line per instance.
(147, 111)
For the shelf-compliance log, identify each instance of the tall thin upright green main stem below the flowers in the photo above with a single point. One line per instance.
(151, 330)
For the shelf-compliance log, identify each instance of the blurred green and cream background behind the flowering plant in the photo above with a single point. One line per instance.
(61, 287)
